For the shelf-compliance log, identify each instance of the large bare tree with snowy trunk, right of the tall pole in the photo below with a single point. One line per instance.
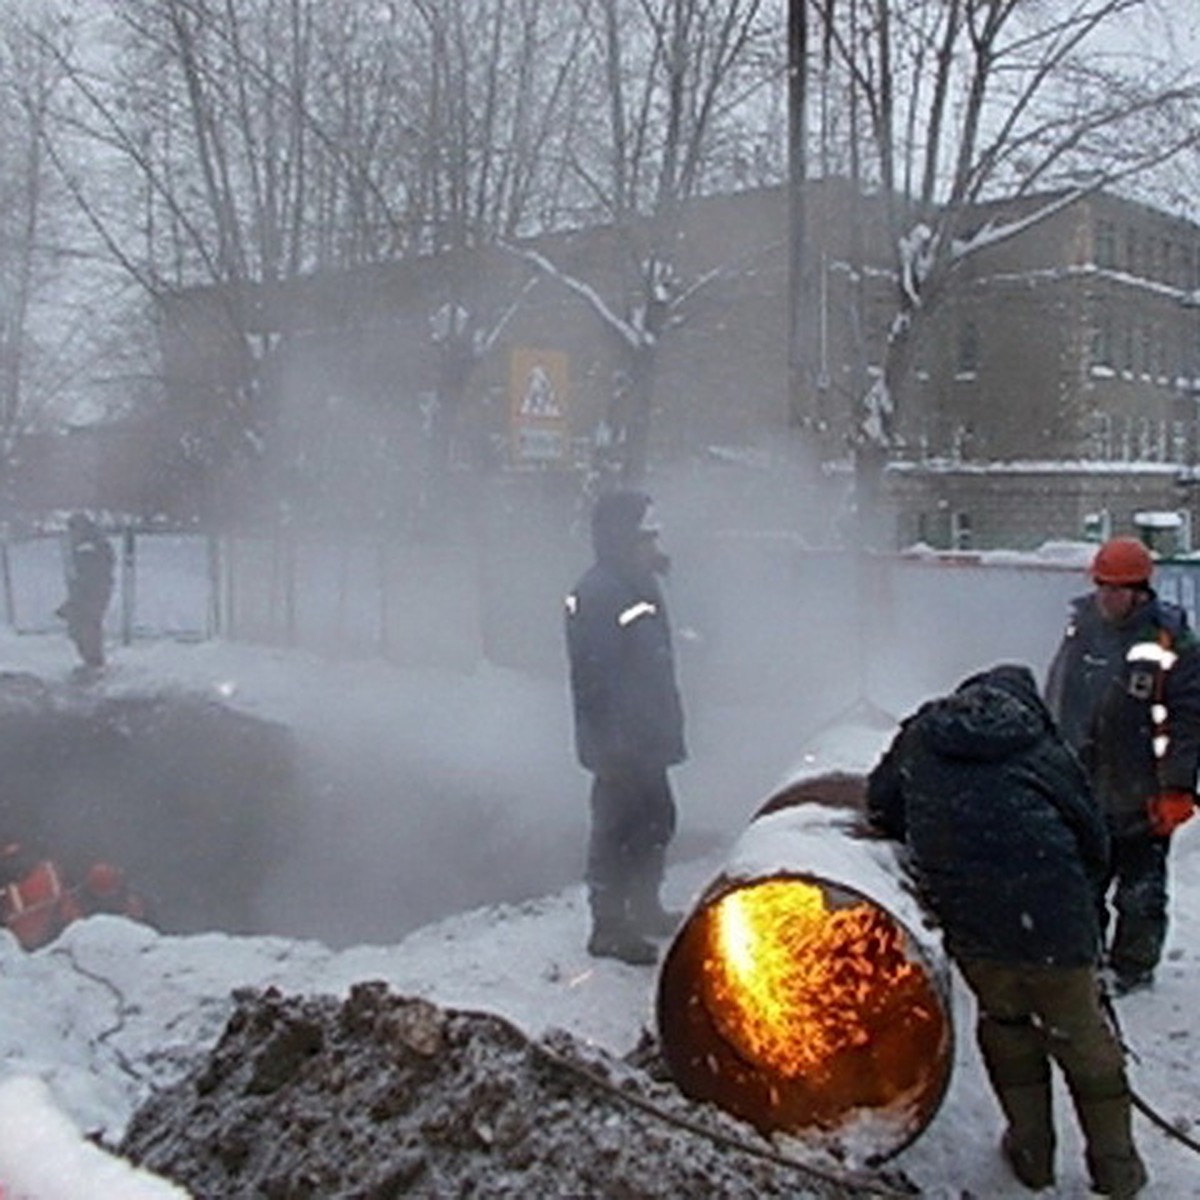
(956, 103)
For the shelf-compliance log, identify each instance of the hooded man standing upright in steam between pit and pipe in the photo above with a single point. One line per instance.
(628, 727)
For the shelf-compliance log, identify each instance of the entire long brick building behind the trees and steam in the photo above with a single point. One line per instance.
(1057, 395)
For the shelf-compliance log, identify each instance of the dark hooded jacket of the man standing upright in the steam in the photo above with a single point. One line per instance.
(628, 715)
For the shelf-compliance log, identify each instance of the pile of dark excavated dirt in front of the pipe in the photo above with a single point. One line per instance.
(383, 1096)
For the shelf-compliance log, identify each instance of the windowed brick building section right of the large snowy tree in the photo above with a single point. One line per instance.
(1060, 393)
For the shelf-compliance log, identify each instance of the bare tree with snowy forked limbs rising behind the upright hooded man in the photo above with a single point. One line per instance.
(671, 80)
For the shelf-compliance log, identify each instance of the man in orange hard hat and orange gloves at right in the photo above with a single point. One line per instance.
(1125, 688)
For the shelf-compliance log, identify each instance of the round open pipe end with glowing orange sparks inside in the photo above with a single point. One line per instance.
(802, 1006)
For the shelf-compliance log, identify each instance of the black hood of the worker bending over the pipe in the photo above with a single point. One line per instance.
(992, 716)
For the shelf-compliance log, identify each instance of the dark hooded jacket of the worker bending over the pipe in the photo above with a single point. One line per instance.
(1005, 838)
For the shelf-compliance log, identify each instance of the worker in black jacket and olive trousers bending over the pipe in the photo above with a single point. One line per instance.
(1009, 850)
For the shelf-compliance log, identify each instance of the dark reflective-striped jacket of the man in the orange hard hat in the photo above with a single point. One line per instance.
(1107, 687)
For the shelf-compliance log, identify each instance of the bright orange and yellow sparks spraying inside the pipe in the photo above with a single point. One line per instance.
(796, 985)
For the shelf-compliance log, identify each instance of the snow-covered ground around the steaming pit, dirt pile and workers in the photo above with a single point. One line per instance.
(92, 1023)
